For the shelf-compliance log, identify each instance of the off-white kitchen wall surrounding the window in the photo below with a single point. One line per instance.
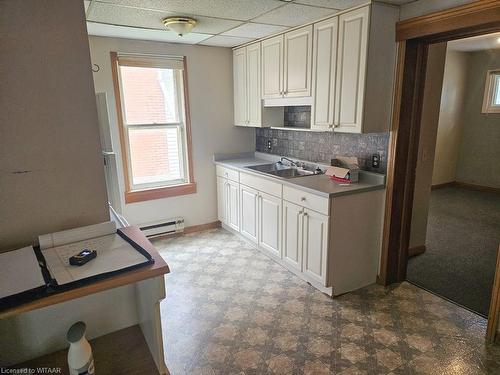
(210, 80)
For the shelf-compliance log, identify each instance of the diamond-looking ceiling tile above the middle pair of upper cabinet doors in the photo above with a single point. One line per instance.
(294, 15)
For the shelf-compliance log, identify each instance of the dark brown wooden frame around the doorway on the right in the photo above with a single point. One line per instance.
(414, 37)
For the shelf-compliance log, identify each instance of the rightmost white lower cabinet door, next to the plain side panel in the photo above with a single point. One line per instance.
(315, 245)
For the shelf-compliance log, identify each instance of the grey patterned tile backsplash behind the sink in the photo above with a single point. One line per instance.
(324, 146)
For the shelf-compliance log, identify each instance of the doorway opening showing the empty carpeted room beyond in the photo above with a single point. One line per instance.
(455, 228)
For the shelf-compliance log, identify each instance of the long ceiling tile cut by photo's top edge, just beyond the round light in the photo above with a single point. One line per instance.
(233, 9)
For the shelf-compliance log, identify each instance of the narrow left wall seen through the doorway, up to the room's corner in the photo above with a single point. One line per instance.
(450, 118)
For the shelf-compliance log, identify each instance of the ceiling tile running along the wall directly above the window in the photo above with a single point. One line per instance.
(101, 29)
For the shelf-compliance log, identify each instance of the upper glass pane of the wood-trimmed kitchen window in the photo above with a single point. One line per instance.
(149, 95)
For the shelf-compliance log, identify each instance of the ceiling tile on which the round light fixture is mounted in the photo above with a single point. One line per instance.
(152, 19)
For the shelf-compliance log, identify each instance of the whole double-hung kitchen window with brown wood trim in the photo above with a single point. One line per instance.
(154, 126)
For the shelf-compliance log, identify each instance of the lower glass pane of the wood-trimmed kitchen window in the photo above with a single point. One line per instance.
(155, 156)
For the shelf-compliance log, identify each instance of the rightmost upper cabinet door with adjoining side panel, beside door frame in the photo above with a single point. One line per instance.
(366, 55)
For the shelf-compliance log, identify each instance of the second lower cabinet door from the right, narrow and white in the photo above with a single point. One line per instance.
(292, 234)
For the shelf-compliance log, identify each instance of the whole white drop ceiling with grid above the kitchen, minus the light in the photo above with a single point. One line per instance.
(224, 23)
